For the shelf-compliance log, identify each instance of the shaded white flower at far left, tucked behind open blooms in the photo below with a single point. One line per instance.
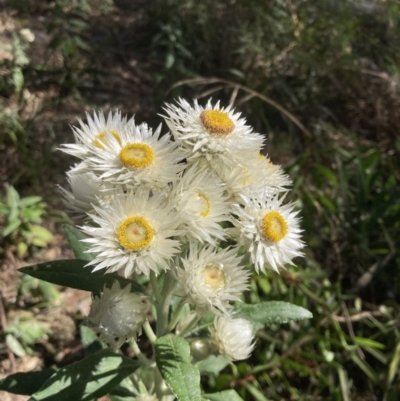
(86, 191)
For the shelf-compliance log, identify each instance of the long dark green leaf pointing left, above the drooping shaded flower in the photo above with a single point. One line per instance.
(72, 273)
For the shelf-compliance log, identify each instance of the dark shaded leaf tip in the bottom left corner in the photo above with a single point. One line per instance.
(26, 383)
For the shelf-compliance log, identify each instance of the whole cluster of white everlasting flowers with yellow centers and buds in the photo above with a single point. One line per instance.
(196, 201)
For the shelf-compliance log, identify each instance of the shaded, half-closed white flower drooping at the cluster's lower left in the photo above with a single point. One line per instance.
(117, 315)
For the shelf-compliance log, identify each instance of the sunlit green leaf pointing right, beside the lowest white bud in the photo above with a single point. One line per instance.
(272, 312)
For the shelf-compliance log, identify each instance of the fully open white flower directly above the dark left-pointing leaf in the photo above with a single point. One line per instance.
(134, 233)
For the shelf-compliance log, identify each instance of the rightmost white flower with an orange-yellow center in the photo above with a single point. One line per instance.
(268, 230)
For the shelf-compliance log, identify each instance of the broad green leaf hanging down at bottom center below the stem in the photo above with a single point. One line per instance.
(174, 362)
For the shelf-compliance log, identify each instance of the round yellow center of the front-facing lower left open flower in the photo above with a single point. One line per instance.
(135, 233)
